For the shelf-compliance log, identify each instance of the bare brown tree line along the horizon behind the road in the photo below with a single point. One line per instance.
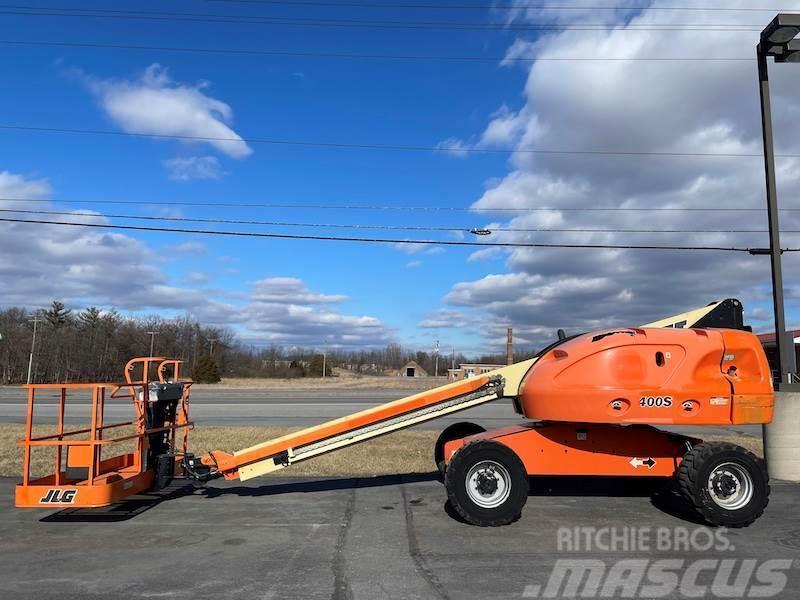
(94, 345)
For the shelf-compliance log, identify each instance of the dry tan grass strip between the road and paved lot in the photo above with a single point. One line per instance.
(401, 452)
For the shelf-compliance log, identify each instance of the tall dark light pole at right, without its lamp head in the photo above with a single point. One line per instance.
(783, 359)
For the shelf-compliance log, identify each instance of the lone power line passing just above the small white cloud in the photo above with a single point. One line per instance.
(347, 55)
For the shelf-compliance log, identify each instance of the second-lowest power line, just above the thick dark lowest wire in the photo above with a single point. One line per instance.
(463, 228)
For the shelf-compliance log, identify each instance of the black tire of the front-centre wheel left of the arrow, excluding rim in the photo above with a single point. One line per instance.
(456, 481)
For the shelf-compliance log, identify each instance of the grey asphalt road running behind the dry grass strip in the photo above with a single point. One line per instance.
(278, 407)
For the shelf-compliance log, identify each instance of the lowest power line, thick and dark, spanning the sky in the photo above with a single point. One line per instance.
(289, 236)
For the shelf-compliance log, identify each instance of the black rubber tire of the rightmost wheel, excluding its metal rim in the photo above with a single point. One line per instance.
(694, 472)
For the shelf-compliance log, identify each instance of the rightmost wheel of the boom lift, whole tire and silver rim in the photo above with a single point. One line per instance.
(727, 484)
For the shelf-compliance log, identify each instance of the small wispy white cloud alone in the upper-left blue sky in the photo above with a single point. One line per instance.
(155, 104)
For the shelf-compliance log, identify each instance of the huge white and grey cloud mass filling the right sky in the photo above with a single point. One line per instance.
(661, 106)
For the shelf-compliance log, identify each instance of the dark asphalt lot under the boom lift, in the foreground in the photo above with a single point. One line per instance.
(341, 539)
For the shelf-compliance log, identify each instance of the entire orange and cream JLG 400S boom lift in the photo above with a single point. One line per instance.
(591, 401)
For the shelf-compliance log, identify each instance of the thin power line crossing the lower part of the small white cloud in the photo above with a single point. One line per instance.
(402, 147)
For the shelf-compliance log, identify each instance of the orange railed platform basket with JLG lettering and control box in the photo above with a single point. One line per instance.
(87, 471)
